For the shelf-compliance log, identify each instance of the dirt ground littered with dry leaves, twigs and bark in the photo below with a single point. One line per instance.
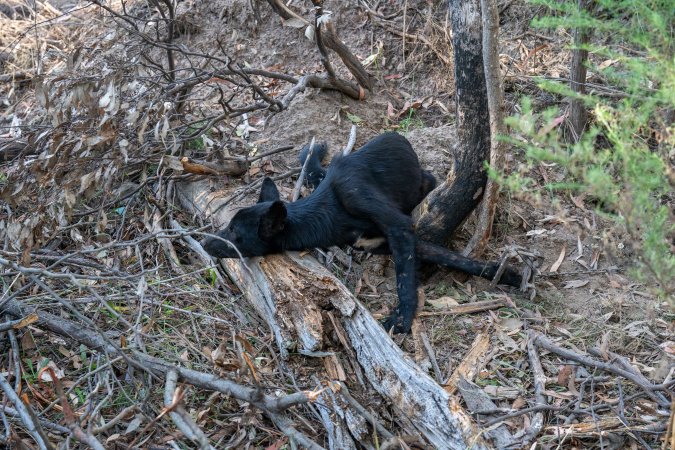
(583, 295)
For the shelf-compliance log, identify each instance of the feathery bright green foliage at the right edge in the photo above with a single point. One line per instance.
(623, 162)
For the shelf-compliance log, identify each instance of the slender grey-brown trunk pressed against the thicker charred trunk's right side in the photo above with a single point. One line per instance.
(495, 94)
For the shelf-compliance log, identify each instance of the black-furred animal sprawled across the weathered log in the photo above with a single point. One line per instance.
(365, 201)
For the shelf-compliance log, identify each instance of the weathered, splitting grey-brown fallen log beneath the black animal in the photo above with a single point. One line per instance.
(291, 291)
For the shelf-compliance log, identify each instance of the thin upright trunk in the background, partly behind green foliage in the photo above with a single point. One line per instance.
(578, 115)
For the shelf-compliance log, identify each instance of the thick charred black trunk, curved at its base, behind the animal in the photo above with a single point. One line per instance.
(448, 205)
